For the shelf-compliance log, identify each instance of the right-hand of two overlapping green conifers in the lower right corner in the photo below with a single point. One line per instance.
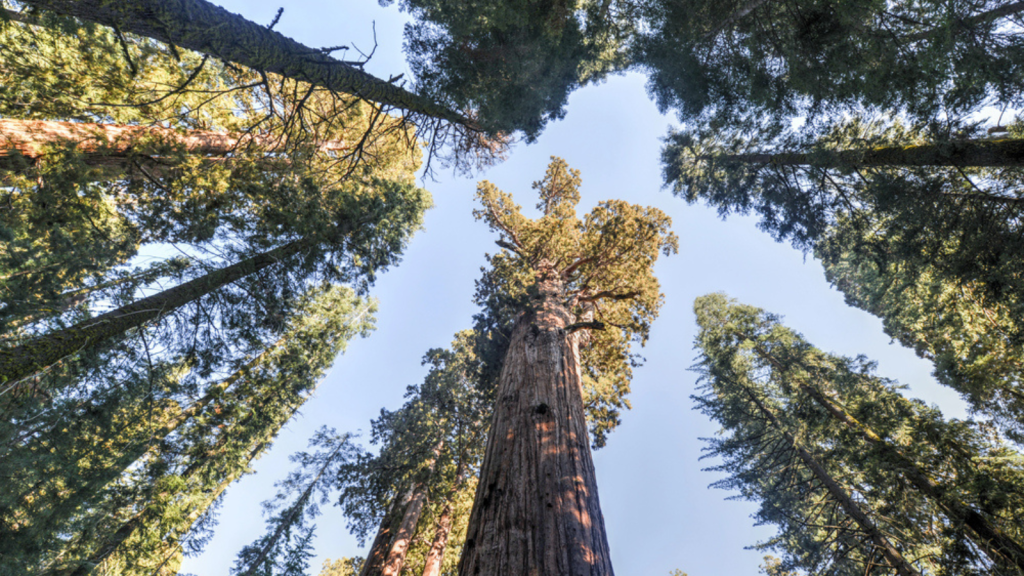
(906, 457)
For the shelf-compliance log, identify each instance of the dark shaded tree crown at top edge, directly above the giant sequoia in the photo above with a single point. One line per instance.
(514, 64)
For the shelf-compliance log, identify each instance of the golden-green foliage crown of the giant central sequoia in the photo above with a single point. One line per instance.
(606, 263)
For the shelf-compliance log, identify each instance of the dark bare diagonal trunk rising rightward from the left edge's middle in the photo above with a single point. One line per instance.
(25, 360)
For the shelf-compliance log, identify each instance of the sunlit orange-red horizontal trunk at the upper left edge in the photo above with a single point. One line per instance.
(111, 145)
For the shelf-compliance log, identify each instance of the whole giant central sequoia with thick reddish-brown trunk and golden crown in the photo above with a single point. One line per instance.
(584, 292)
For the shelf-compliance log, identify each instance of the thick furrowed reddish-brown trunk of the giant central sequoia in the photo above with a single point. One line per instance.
(537, 510)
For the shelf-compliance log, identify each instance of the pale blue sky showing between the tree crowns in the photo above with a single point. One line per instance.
(659, 511)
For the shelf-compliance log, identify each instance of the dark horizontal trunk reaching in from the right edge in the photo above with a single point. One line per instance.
(1005, 152)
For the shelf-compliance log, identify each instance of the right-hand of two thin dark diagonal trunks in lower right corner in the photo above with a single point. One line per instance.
(998, 547)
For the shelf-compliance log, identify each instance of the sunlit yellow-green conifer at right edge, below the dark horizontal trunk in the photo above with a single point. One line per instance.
(972, 342)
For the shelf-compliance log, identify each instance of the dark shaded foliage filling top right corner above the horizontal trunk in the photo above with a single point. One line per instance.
(741, 60)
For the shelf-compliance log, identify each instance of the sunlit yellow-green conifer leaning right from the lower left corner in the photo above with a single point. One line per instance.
(150, 514)
